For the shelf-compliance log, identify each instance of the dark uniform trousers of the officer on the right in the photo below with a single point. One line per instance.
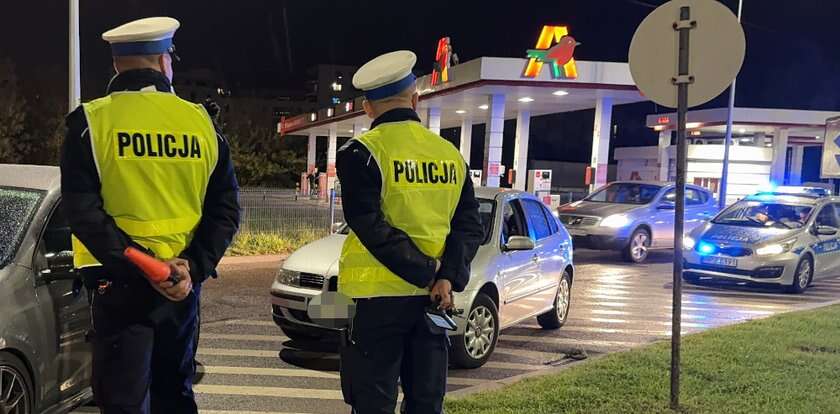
(391, 340)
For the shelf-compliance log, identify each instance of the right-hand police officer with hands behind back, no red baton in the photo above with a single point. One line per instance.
(415, 228)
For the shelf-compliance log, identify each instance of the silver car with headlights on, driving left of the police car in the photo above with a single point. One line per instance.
(634, 217)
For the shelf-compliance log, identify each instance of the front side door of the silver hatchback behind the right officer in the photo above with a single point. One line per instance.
(518, 269)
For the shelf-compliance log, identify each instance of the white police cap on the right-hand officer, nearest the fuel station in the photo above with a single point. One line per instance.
(386, 75)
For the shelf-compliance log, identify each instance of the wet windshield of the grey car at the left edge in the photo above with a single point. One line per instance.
(18, 205)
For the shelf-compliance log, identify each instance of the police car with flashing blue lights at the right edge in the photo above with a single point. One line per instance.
(781, 239)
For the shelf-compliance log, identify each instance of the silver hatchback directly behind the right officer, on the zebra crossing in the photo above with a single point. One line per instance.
(523, 269)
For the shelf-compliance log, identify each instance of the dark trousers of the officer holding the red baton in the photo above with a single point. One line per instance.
(144, 348)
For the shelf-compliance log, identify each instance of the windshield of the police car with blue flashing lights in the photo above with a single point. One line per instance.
(765, 214)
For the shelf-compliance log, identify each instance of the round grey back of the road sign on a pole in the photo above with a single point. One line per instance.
(716, 52)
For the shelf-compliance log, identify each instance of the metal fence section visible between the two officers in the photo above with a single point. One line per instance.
(282, 211)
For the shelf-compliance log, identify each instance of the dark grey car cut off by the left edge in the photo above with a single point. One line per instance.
(45, 361)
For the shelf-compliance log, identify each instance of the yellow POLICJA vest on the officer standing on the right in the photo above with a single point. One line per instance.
(422, 178)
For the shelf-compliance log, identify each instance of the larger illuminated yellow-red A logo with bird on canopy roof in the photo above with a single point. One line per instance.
(560, 56)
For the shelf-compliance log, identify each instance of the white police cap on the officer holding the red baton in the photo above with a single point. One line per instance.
(149, 36)
